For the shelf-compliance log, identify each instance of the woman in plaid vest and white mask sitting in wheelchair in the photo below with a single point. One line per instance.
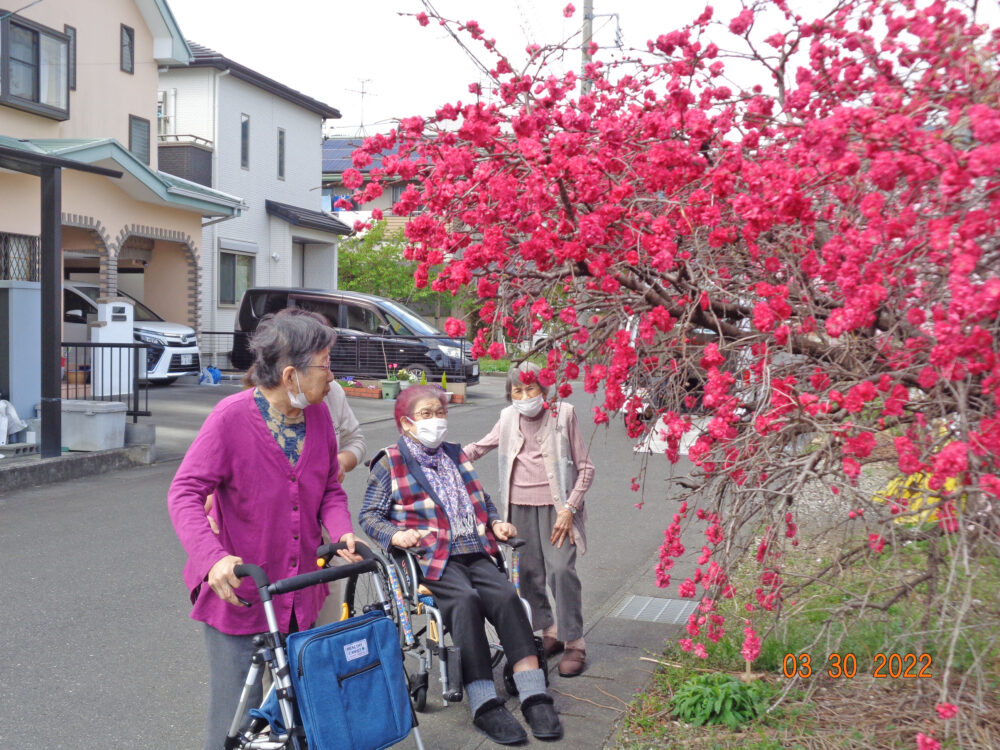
(424, 492)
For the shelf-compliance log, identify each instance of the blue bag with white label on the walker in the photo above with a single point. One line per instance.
(350, 687)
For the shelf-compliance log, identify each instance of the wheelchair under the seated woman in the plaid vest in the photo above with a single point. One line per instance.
(423, 636)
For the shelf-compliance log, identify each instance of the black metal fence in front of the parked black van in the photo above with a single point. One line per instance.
(359, 355)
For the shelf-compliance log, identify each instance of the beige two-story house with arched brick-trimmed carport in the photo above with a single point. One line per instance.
(82, 85)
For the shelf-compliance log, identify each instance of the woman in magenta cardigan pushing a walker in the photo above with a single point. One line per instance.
(269, 456)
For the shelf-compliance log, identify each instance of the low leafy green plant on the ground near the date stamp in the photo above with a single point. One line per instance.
(717, 698)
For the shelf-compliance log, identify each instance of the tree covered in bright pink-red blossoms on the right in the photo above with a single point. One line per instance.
(794, 276)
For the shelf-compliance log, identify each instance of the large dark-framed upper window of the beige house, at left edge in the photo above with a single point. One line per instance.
(35, 62)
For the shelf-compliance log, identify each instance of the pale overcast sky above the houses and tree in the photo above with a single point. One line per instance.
(330, 49)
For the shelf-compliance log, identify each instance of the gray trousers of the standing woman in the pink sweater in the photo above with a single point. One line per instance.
(542, 562)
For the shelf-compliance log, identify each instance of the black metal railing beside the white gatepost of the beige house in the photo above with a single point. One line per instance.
(106, 372)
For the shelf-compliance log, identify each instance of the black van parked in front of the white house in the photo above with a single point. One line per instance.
(372, 332)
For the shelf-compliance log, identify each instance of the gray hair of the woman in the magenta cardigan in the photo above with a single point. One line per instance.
(289, 337)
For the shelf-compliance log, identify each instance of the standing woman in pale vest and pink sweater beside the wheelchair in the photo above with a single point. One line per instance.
(544, 473)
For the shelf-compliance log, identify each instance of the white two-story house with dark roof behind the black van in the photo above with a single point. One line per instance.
(226, 126)
